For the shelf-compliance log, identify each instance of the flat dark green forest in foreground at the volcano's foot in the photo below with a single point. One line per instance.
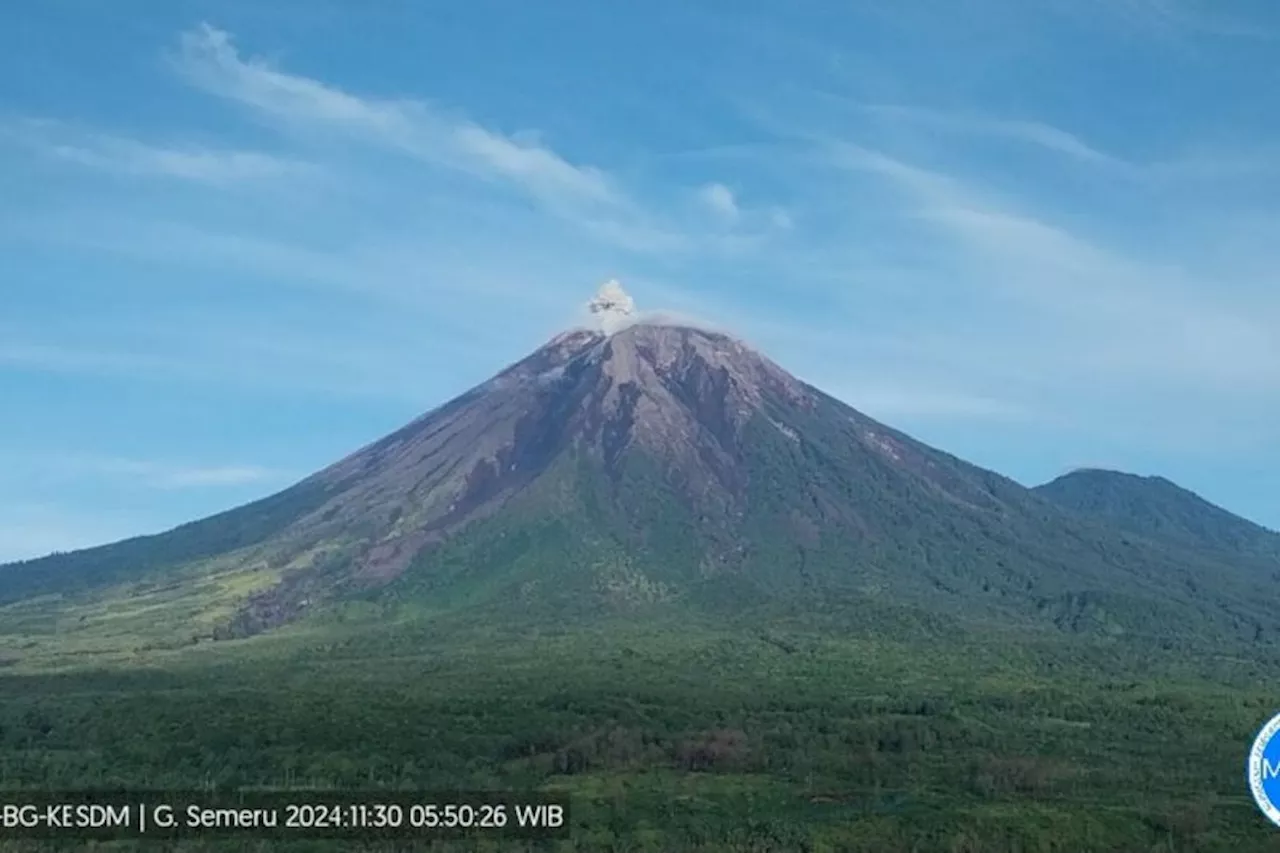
(674, 738)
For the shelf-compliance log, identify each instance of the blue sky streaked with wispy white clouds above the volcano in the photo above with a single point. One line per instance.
(241, 240)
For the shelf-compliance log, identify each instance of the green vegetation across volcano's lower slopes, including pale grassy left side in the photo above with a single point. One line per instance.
(826, 533)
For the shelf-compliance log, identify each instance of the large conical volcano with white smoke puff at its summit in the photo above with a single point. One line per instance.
(648, 466)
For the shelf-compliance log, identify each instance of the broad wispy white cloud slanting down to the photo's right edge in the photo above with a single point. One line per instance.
(1112, 312)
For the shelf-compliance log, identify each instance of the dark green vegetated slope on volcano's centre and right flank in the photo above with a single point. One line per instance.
(829, 531)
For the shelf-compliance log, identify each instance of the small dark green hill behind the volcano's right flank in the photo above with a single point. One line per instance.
(1153, 507)
